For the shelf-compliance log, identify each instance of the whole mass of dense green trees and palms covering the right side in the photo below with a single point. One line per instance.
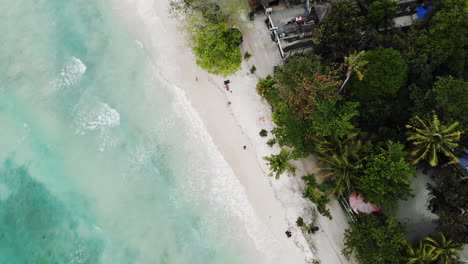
(376, 103)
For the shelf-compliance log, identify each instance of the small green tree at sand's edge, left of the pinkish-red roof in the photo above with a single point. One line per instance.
(318, 193)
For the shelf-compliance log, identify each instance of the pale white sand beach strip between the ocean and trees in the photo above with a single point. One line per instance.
(277, 203)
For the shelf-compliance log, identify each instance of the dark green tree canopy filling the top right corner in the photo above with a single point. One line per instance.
(439, 46)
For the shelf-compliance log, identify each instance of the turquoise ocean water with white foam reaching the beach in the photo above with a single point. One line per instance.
(101, 160)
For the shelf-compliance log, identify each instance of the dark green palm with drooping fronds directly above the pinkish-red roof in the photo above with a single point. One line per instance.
(339, 159)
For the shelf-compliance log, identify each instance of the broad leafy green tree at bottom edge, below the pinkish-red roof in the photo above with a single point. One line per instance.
(375, 239)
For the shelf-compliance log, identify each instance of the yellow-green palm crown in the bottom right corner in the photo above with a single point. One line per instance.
(446, 250)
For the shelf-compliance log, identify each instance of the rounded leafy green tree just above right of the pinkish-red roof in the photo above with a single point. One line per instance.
(386, 176)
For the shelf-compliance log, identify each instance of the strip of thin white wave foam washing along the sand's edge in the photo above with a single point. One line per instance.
(225, 188)
